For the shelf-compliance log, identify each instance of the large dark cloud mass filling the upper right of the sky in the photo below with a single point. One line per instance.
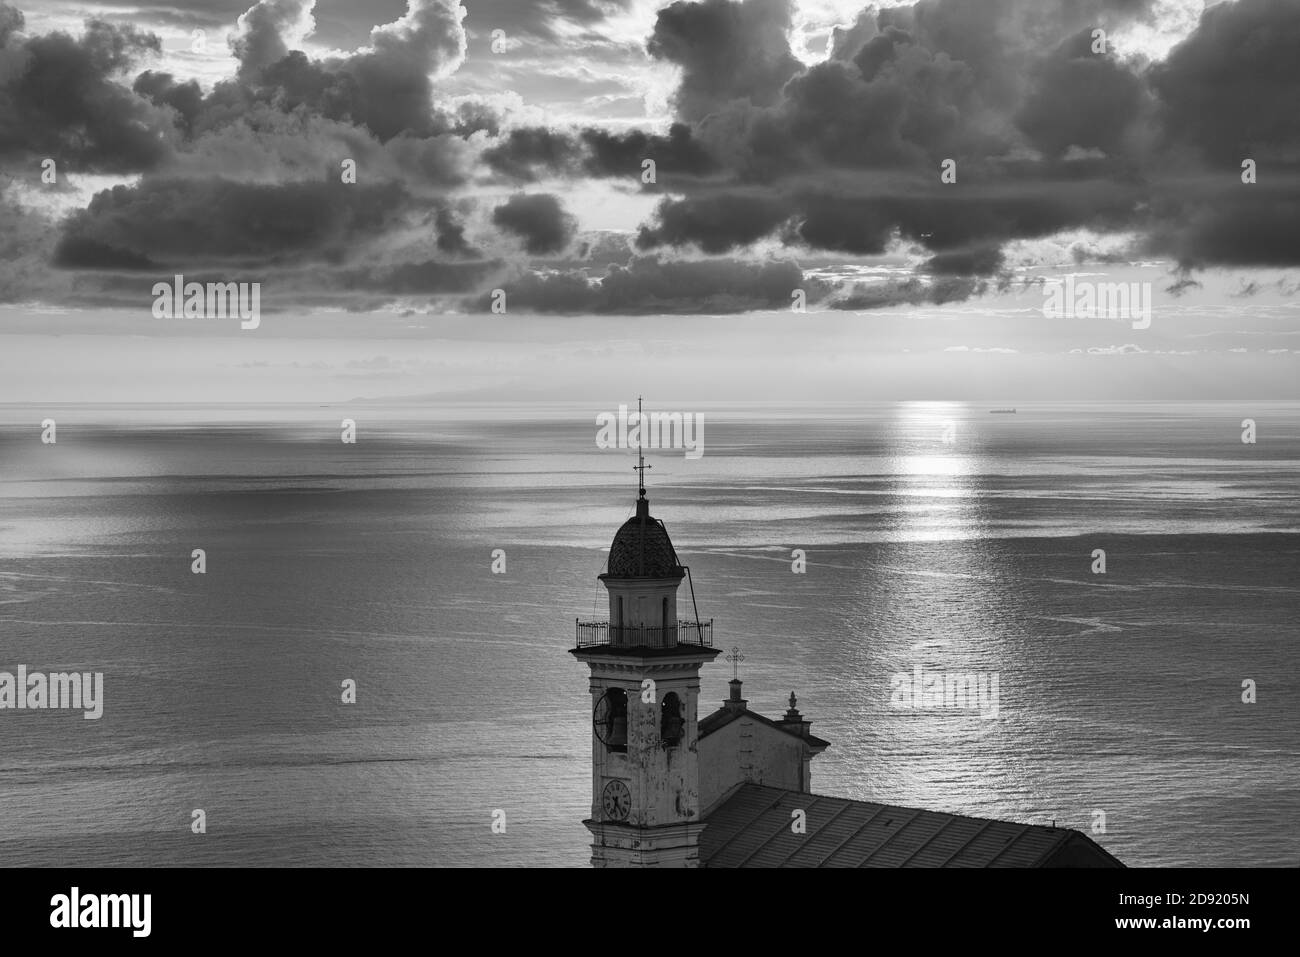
(1048, 133)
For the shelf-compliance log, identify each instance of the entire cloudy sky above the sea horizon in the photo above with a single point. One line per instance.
(847, 202)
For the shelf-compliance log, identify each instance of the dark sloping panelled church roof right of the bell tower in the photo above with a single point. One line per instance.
(752, 829)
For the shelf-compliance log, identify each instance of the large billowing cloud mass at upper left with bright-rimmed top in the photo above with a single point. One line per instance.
(250, 176)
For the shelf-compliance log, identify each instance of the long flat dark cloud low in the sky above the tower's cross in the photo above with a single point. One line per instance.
(648, 285)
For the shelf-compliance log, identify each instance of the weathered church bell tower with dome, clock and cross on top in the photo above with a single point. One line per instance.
(645, 688)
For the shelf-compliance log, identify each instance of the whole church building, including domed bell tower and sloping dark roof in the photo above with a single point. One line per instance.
(734, 789)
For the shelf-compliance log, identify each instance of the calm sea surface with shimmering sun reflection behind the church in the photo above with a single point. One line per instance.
(1119, 692)
